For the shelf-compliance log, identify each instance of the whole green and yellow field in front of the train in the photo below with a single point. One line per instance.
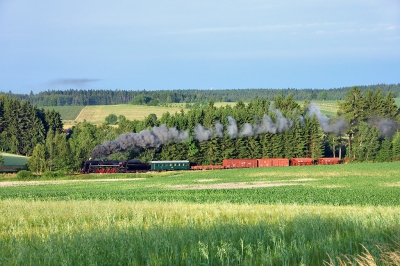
(260, 216)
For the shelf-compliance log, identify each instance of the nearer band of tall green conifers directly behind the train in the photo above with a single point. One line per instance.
(365, 129)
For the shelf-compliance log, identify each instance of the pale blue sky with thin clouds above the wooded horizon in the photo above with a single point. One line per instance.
(208, 44)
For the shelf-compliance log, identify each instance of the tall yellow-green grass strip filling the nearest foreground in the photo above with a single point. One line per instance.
(155, 233)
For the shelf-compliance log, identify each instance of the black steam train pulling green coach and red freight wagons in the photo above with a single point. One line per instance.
(136, 166)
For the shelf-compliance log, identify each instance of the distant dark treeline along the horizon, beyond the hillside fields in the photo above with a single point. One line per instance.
(159, 97)
